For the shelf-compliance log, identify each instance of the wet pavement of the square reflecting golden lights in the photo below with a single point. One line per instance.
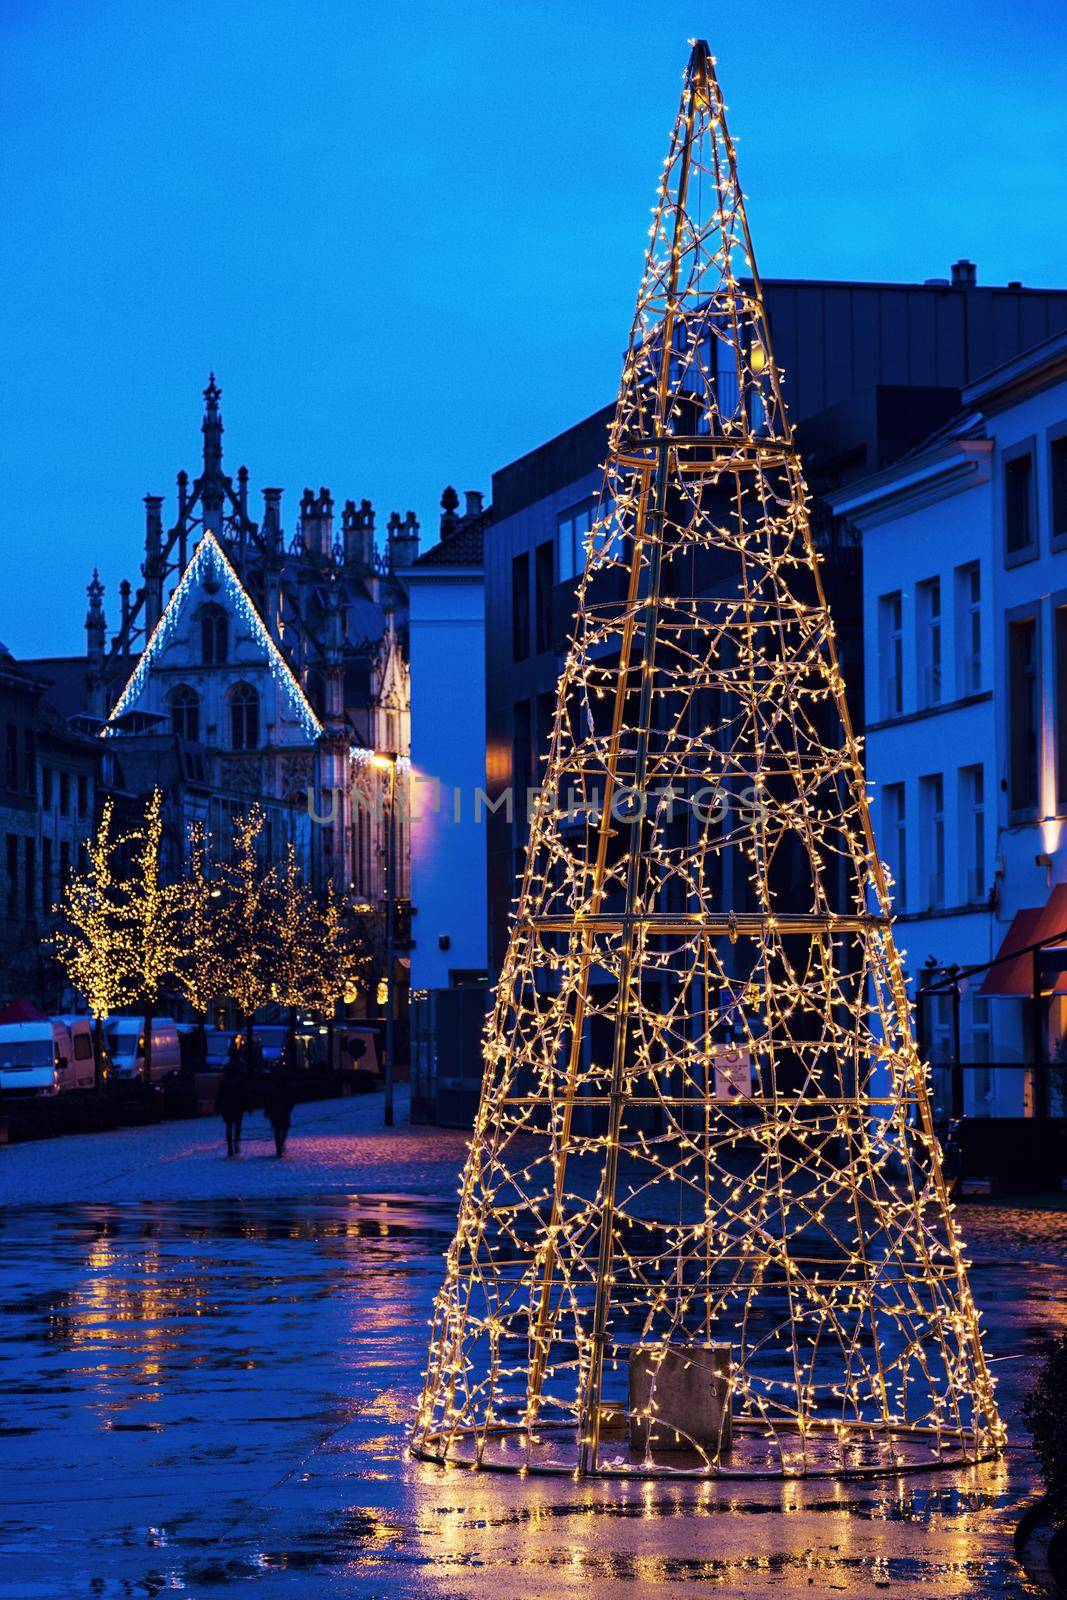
(209, 1367)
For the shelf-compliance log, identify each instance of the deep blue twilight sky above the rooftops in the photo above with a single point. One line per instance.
(407, 238)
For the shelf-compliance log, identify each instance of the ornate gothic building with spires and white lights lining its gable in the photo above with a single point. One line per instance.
(258, 666)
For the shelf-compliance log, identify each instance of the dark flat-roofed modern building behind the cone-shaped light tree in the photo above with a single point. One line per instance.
(869, 370)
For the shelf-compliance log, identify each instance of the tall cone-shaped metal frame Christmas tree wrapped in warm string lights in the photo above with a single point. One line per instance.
(705, 1151)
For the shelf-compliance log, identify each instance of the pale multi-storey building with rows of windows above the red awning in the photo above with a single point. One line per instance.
(965, 654)
